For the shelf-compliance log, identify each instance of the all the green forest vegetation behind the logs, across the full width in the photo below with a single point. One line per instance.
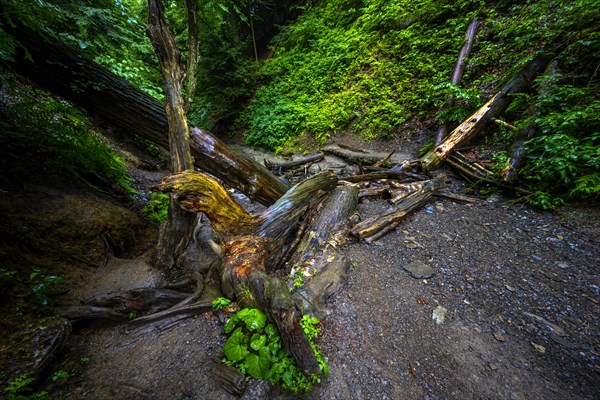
(280, 73)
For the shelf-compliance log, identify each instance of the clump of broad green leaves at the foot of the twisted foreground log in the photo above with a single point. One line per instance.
(254, 347)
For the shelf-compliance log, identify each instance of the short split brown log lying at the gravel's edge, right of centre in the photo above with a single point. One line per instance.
(375, 224)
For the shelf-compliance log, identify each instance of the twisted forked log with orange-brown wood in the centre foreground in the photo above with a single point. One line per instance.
(255, 244)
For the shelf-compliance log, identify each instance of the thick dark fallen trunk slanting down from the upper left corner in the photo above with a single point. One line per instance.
(59, 69)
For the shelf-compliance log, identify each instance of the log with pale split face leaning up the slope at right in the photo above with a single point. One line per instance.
(492, 108)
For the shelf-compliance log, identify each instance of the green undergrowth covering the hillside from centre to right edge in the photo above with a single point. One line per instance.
(370, 66)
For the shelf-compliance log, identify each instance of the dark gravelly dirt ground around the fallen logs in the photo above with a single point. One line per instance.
(480, 301)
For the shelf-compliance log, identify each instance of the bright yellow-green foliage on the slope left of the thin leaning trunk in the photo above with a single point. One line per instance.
(370, 68)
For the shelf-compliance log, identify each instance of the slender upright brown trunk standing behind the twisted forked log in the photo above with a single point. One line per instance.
(177, 231)
